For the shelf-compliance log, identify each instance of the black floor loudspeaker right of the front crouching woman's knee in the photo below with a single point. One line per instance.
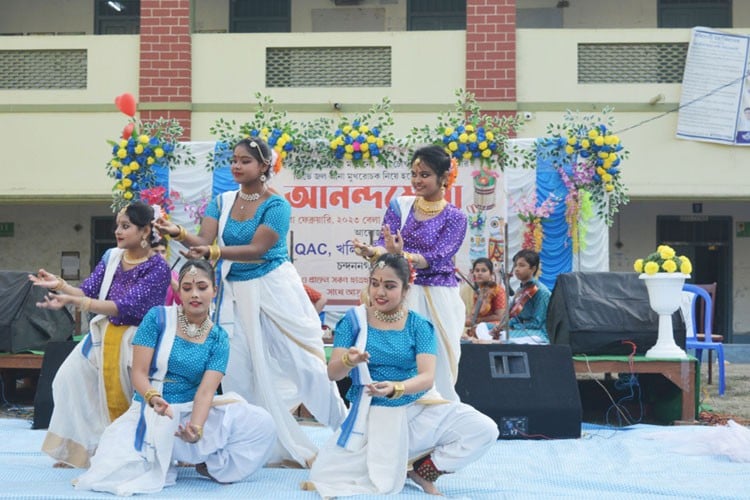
(530, 391)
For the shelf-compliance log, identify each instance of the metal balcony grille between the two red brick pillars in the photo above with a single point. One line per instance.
(328, 67)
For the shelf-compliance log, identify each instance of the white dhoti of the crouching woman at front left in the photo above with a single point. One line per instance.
(238, 439)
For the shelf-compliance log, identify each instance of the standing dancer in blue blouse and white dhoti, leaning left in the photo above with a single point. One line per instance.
(277, 359)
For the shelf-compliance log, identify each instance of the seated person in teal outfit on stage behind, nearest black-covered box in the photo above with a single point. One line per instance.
(527, 322)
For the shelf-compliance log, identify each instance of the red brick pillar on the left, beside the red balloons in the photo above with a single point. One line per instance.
(166, 59)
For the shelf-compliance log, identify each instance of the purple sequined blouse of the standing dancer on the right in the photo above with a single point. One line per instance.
(437, 240)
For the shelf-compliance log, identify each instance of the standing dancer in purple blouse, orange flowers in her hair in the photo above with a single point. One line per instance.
(429, 231)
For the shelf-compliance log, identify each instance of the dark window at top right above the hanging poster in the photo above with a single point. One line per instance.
(691, 13)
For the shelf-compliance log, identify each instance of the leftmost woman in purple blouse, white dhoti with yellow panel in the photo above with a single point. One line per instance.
(92, 387)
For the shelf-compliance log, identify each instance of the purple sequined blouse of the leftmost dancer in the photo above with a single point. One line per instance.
(135, 291)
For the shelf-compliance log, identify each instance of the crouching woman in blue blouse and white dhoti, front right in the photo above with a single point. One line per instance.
(395, 420)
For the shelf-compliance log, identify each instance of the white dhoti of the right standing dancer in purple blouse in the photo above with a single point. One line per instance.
(443, 306)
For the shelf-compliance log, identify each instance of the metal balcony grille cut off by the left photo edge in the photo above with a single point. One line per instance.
(43, 69)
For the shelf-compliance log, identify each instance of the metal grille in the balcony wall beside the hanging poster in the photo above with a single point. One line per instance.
(631, 62)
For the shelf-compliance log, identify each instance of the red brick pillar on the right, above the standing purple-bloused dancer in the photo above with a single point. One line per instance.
(491, 49)
